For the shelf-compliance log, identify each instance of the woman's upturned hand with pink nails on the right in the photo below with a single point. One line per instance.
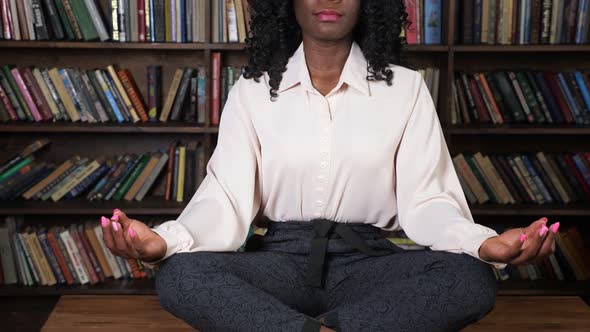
(538, 243)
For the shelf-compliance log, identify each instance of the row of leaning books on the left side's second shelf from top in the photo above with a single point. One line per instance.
(70, 94)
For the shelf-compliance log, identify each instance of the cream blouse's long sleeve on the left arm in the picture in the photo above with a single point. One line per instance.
(218, 216)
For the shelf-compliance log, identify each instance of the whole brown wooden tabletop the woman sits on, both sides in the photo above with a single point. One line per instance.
(143, 312)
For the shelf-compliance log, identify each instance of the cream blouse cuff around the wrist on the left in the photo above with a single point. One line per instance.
(176, 237)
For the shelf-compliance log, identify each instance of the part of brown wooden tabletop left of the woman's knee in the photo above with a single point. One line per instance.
(111, 313)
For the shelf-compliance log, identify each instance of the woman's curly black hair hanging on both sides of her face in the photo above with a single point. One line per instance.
(275, 35)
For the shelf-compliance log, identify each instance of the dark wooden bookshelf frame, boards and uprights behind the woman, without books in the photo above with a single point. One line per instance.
(97, 139)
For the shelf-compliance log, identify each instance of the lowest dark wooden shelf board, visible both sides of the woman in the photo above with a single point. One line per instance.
(147, 287)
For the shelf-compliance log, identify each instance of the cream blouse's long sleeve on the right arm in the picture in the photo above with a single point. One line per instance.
(432, 208)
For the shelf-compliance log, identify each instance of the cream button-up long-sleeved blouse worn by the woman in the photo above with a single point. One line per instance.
(364, 153)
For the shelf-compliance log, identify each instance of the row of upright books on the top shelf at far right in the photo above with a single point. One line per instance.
(523, 22)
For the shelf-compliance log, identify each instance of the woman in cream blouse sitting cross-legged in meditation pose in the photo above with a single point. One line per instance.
(329, 140)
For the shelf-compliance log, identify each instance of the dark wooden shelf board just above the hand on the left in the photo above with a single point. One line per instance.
(150, 205)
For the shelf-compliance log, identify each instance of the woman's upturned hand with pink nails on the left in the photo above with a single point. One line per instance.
(130, 238)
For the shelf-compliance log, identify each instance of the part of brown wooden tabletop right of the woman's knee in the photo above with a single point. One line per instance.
(533, 313)
